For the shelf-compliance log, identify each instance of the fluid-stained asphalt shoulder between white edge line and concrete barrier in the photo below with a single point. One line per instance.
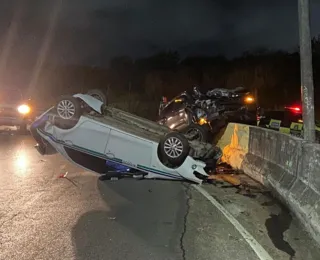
(270, 223)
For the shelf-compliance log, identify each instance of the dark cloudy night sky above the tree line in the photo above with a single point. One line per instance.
(92, 31)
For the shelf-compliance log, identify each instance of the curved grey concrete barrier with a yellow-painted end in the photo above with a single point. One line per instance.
(285, 164)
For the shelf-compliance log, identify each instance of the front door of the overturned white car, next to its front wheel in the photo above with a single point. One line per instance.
(129, 149)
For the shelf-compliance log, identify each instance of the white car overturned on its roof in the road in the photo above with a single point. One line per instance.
(88, 133)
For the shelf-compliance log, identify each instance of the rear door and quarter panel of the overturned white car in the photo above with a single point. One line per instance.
(88, 136)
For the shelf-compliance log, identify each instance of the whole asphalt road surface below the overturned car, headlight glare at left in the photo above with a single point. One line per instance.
(79, 217)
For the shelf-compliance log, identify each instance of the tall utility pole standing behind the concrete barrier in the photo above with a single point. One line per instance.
(307, 90)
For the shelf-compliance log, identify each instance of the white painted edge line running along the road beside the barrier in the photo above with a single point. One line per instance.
(257, 248)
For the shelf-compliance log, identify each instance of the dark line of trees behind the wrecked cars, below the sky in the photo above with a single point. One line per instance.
(137, 85)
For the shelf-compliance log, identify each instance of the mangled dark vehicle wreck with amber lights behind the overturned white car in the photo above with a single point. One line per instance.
(204, 114)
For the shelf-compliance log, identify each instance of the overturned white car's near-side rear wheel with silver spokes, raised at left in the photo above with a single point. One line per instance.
(68, 111)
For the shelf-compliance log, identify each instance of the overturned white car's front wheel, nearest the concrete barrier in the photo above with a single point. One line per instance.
(174, 148)
